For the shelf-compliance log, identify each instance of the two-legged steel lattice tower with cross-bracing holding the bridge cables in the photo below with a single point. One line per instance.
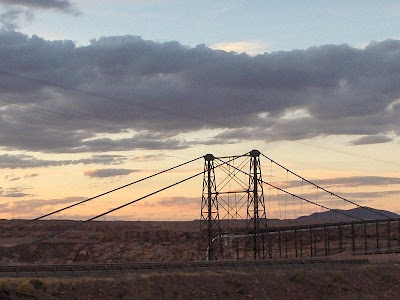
(213, 236)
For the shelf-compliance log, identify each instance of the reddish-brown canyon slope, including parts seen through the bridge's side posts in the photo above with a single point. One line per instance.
(69, 242)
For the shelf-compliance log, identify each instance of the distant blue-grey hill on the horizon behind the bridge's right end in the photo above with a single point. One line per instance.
(333, 217)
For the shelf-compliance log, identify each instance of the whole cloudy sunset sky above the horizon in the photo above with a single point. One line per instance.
(97, 94)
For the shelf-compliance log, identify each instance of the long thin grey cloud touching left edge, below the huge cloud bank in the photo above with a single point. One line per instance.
(23, 161)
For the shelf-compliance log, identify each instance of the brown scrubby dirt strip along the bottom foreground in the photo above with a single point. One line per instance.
(346, 282)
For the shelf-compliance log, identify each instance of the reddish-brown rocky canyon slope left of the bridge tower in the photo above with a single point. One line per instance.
(97, 242)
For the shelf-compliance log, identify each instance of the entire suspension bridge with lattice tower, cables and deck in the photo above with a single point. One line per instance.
(234, 220)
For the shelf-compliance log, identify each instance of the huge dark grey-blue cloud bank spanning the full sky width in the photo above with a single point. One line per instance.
(160, 90)
